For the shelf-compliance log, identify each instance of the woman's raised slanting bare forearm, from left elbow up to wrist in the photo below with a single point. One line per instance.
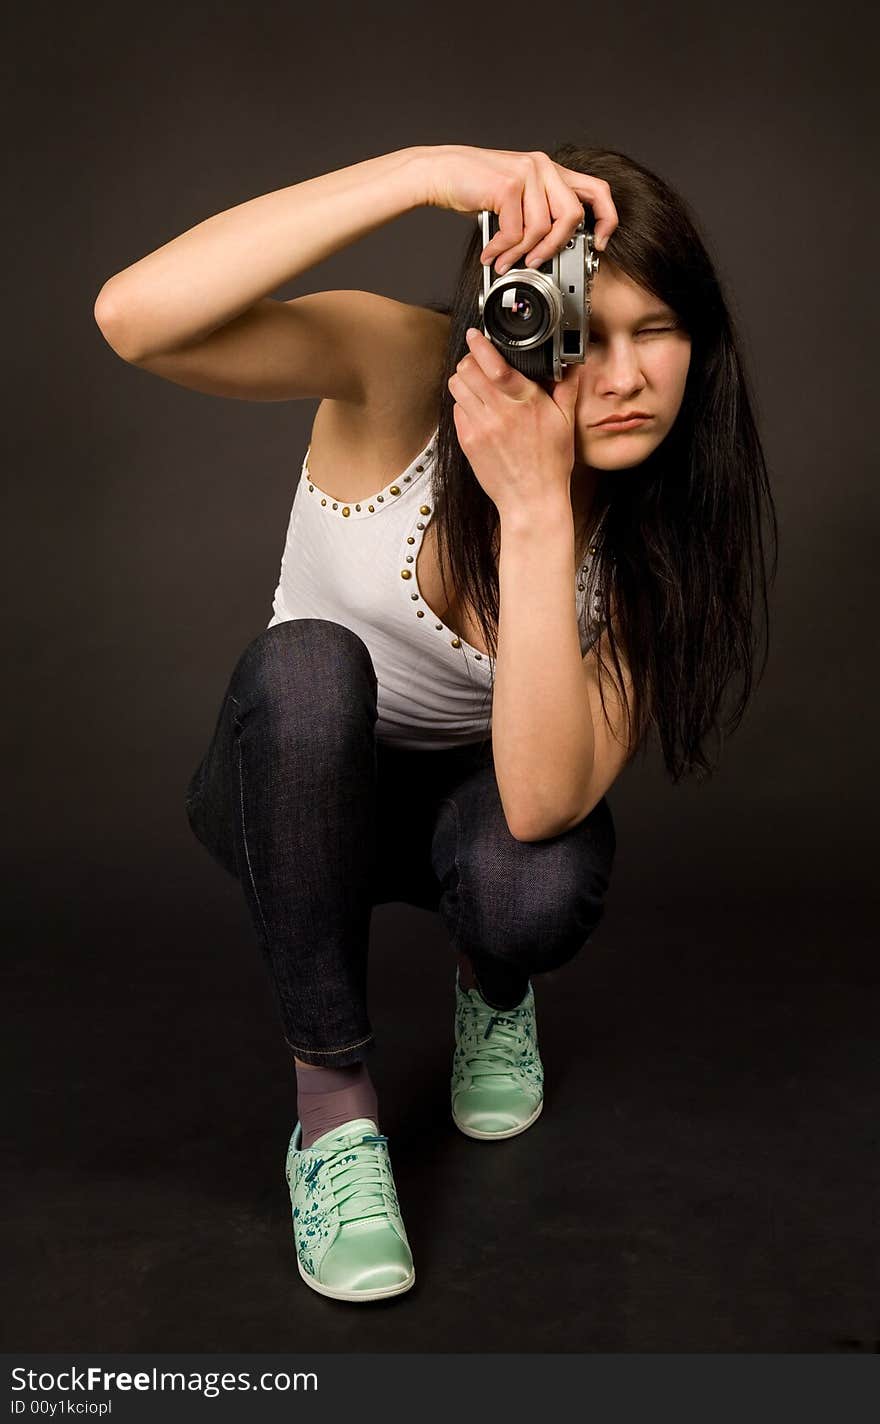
(209, 276)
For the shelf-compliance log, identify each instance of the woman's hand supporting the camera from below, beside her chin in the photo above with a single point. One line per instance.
(519, 439)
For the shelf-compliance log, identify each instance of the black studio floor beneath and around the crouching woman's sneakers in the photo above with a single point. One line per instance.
(704, 1176)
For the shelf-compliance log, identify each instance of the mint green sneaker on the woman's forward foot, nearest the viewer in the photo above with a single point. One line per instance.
(351, 1242)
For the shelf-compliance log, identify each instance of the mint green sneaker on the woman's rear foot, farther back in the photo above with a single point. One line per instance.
(498, 1086)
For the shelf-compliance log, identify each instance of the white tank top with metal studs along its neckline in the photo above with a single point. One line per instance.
(355, 565)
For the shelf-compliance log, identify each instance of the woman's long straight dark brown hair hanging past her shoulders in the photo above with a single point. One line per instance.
(680, 543)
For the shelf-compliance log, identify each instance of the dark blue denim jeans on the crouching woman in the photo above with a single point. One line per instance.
(320, 821)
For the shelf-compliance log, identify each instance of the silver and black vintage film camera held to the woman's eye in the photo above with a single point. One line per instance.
(539, 318)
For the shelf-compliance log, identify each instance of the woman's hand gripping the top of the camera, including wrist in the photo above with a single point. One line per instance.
(539, 203)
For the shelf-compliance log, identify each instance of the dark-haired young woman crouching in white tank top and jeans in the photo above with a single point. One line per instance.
(491, 592)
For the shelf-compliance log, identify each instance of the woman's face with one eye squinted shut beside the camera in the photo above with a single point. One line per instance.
(637, 360)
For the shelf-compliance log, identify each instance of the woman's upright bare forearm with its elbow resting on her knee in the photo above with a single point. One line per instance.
(543, 738)
